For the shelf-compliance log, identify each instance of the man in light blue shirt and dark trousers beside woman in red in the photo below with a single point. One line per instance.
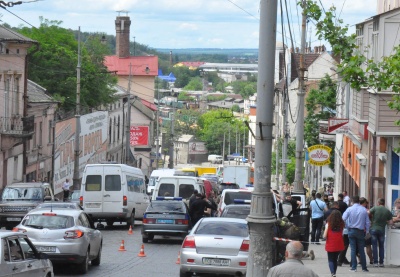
(358, 224)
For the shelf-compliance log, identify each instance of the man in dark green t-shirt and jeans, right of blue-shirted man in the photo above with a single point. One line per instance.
(380, 217)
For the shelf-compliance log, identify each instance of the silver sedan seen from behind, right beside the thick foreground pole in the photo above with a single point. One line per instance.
(216, 245)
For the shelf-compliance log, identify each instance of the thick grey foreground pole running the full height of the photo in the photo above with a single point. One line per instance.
(261, 219)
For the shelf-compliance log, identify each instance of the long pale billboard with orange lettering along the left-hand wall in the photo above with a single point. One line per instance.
(92, 145)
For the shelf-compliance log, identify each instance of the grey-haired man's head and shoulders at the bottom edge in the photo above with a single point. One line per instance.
(293, 266)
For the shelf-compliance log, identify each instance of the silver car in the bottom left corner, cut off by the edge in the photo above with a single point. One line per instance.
(19, 257)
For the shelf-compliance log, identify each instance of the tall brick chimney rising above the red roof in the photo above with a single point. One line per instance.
(122, 26)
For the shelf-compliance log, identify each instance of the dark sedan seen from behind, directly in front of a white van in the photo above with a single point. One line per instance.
(166, 216)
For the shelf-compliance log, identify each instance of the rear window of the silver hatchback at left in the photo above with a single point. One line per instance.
(40, 221)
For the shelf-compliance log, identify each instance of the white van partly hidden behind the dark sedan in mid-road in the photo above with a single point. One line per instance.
(178, 186)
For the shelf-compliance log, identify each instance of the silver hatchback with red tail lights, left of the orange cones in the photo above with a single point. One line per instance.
(65, 235)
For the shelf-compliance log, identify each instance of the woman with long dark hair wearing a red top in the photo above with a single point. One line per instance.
(334, 239)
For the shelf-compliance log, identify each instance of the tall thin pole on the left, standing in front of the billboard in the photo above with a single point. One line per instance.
(75, 178)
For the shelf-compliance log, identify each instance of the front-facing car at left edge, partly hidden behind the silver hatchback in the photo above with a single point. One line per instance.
(19, 198)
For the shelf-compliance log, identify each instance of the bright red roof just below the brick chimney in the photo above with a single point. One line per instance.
(139, 64)
